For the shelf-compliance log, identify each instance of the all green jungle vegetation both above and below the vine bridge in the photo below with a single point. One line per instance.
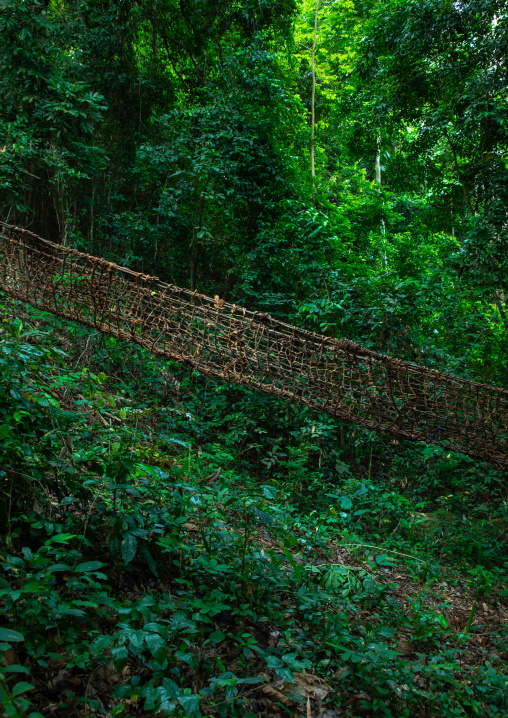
(173, 546)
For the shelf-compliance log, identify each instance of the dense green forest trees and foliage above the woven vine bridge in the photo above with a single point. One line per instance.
(175, 138)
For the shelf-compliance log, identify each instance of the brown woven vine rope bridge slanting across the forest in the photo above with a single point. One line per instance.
(225, 341)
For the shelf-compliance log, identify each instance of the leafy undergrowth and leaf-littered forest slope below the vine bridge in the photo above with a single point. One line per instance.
(174, 546)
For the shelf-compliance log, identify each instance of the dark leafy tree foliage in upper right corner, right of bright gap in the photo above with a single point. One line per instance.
(434, 68)
